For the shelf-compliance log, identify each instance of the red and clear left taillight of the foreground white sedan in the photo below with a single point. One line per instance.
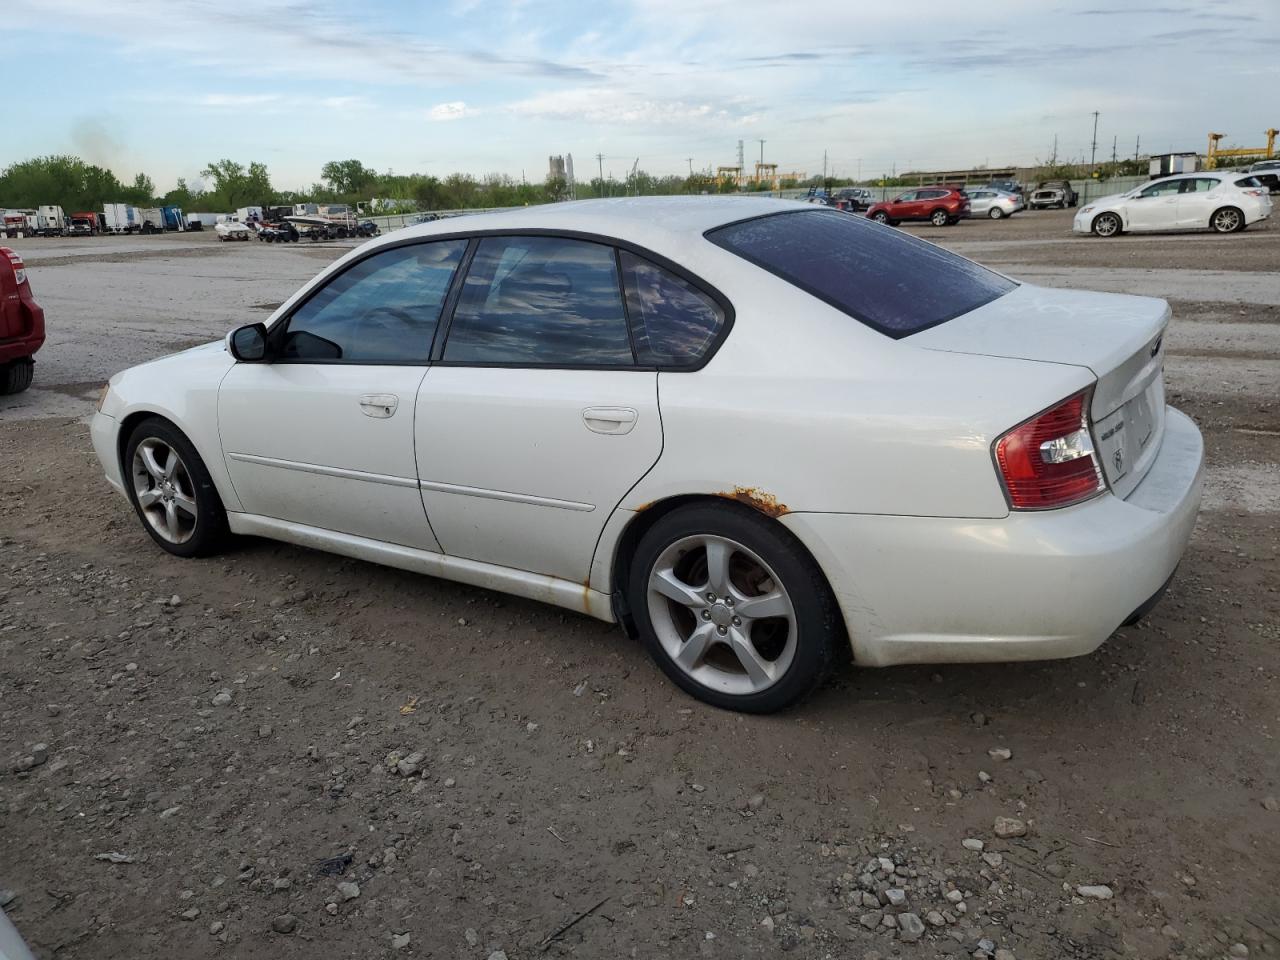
(1049, 461)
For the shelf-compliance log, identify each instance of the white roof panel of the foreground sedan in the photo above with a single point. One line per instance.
(642, 220)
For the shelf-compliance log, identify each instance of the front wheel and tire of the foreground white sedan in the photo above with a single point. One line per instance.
(184, 513)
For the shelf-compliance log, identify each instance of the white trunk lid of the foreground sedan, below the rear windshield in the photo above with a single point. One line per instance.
(1119, 339)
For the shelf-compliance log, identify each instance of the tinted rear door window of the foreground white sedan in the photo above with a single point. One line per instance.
(541, 301)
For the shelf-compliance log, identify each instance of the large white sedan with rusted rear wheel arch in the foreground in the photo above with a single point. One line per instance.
(751, 431)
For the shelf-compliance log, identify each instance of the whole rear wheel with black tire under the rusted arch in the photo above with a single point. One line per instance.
(756, 665)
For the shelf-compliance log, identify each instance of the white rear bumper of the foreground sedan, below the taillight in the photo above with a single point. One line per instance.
(1022, 588)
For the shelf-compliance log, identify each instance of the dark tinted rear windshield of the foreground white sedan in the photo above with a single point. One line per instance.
(880, 276)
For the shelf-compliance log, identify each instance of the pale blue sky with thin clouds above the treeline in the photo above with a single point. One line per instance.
(167, 86)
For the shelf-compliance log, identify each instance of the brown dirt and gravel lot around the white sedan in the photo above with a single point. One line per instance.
(561, 772)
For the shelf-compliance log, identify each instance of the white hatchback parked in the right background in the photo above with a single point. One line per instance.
(1212, 200)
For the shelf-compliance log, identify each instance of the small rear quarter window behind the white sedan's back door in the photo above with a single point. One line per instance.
(673, 322)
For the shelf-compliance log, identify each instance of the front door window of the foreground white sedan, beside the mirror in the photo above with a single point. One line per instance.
(383, 310)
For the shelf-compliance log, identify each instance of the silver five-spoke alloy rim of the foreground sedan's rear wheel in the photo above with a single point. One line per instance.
(723, 615)
